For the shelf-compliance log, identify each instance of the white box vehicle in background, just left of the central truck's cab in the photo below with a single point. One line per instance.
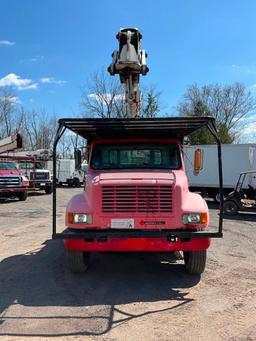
(66, 172)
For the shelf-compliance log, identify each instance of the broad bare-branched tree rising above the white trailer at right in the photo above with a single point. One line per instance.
(228, 104)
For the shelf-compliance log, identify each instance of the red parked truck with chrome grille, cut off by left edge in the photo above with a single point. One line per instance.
(12, 182)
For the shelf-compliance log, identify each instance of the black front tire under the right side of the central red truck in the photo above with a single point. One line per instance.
(195, 261)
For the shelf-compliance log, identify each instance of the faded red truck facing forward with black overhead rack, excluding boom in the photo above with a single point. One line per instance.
(136, 195)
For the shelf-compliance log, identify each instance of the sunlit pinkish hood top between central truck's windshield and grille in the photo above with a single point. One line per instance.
(149, 176)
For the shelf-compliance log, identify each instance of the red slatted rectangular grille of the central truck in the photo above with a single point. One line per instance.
(137, 199)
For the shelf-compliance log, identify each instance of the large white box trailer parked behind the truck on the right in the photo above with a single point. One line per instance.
(236, 158)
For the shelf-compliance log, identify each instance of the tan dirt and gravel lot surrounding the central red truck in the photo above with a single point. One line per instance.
(122, 296)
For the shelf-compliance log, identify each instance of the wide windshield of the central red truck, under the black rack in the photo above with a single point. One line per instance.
(136, 156)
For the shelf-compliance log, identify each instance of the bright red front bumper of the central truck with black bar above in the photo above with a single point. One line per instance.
(136, 240)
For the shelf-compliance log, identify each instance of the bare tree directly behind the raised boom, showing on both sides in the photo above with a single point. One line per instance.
(103, 96)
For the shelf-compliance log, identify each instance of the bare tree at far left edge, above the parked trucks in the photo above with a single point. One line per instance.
(10, 117)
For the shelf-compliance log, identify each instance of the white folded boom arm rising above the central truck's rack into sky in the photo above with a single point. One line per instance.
(129, 61)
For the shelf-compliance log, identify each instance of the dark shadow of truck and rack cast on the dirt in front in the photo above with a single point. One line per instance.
(40, 297)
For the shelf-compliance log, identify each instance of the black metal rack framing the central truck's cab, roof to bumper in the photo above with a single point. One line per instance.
(139, 128)
